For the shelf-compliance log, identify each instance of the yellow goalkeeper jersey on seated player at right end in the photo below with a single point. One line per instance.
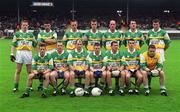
(150, 62)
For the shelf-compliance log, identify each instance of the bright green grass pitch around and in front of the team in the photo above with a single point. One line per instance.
(10, 102)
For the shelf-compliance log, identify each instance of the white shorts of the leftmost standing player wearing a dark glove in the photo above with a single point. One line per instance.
(24, 57)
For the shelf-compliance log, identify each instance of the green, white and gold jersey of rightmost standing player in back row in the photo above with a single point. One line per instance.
(159, 38)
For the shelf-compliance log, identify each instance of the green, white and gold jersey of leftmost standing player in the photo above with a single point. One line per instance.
(24, 41)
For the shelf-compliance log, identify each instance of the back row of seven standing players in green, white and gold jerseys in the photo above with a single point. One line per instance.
(23, 41)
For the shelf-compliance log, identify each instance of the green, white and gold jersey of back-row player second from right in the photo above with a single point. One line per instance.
(137, 36)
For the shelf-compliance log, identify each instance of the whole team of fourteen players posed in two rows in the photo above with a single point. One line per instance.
(90, 56)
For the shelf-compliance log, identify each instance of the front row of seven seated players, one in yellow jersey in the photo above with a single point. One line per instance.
(98, 64)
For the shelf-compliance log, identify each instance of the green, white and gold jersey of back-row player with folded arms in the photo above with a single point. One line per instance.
(47, 35)
